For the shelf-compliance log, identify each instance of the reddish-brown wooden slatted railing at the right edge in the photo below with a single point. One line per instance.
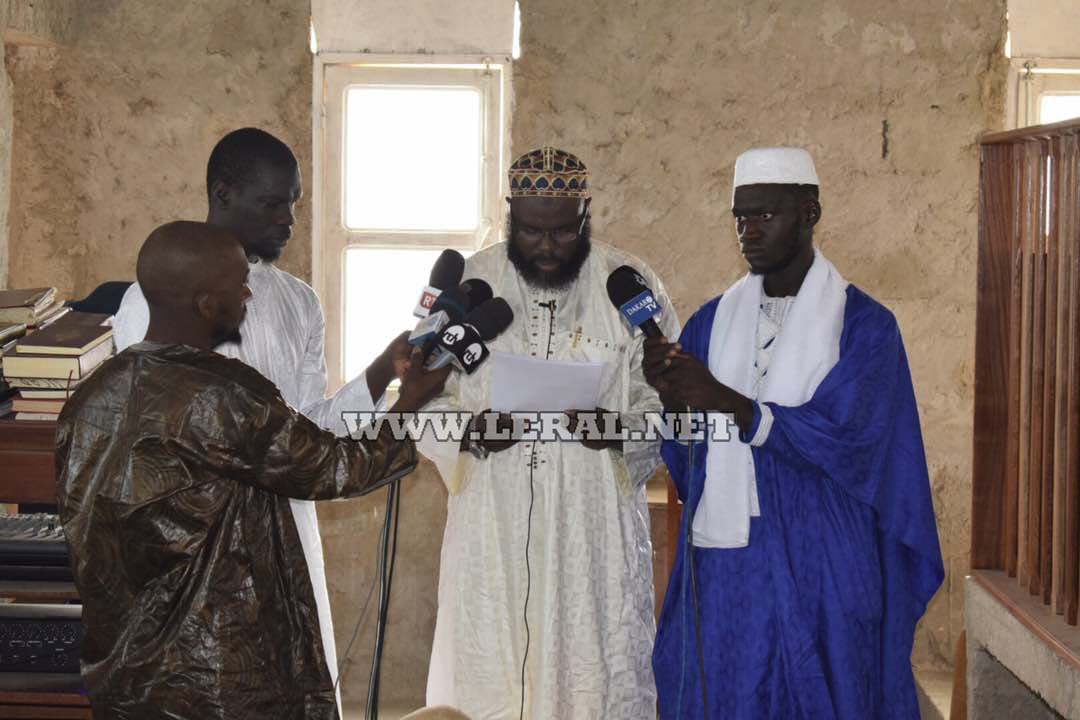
(1027, 471)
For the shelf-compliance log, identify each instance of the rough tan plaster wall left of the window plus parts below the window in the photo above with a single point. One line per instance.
(113, 133)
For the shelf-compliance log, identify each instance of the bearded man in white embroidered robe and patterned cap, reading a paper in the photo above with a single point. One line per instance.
(590, 612)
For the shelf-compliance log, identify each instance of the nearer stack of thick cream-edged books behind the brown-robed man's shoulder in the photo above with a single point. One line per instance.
(46, 366)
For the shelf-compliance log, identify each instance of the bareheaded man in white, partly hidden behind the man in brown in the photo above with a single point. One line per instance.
(253, 183)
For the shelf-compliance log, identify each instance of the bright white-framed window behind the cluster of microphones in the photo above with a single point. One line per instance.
(412, 164)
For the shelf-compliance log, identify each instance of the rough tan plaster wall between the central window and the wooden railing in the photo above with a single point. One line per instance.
(659, 100)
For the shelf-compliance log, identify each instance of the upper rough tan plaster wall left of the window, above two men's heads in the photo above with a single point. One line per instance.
(113, 131)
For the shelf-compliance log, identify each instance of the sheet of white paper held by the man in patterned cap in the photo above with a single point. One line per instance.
(521, 384)
